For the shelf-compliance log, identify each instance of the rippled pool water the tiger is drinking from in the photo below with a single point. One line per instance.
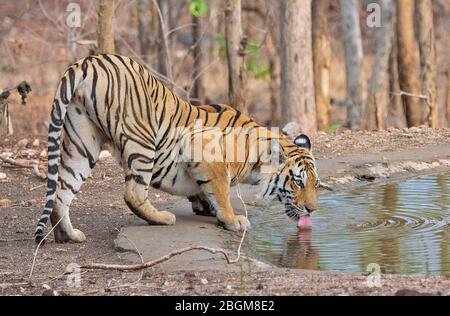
(402, 227)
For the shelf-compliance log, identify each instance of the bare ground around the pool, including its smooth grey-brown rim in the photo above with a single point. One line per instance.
(100, 212)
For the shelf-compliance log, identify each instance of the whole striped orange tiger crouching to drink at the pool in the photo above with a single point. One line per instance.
(112, 99)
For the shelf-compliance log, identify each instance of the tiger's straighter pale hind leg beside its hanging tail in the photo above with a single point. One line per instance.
(80, 151)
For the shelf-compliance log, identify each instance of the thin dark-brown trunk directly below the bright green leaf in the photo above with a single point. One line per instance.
(199, 58)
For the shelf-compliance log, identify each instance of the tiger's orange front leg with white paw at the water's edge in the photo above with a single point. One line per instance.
(215, 184)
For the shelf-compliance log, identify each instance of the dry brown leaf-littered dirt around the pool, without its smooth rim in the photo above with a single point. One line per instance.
(100, 212)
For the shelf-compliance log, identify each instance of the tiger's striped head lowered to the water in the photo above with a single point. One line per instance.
(295, 183)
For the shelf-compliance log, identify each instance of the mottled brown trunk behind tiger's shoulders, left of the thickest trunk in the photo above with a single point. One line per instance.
(236, 45)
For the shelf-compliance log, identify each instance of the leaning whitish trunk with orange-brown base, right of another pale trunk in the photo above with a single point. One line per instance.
(378, 98)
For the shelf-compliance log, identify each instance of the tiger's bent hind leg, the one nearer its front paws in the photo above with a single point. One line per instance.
(138, 174)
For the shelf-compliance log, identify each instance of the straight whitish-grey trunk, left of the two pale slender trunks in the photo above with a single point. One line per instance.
(354, 62)
